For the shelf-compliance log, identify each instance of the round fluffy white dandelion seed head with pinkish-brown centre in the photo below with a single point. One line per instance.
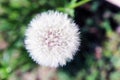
(52, 39)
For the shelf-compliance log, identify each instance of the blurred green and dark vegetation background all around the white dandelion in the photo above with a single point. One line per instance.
(99, 55)
